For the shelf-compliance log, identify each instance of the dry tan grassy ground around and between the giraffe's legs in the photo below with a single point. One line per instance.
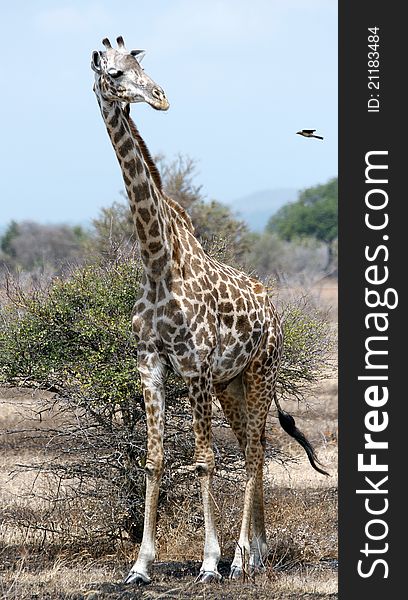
(301, 515)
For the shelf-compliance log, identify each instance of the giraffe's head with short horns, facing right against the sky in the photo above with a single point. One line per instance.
(119, 76)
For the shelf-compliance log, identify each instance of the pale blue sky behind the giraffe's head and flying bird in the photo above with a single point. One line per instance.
(241, 77)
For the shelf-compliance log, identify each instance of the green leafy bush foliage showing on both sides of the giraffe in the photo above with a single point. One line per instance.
(76, 337)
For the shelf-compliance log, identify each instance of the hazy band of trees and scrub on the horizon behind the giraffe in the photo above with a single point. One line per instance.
(299, 242)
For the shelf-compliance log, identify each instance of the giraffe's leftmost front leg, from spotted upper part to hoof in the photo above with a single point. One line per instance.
(152, 377)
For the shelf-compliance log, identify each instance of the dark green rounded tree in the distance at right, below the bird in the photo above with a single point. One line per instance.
(313, 215)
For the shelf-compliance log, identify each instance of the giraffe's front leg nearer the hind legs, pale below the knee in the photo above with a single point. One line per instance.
(201, 404)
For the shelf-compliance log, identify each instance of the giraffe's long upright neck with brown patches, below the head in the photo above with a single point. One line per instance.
(147, 204)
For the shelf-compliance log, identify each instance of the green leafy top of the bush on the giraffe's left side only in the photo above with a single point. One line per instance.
(76, 336)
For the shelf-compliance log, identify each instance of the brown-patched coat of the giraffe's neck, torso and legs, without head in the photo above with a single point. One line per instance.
(212, 324)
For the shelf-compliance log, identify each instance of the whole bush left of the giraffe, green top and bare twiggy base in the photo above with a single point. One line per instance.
(74, 338)
